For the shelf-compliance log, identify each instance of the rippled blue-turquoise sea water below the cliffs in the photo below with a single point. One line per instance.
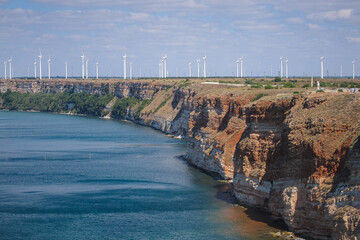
(71, 177)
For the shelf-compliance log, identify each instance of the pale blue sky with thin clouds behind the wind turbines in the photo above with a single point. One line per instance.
(185, 30)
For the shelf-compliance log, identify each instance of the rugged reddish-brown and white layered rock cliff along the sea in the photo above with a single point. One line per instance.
(295, 156)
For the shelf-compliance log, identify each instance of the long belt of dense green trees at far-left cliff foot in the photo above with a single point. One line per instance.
(79, 103)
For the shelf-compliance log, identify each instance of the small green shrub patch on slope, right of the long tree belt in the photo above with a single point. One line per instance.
(123, 104)
